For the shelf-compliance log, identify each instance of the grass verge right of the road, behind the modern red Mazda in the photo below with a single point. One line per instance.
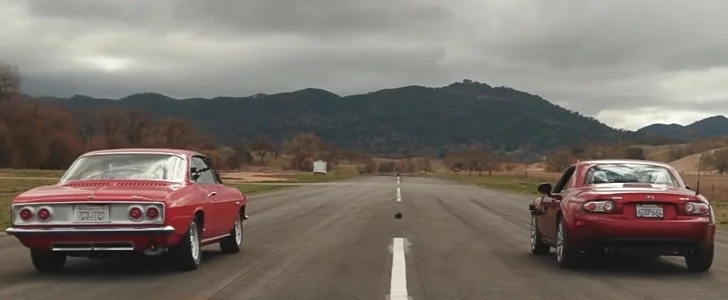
(715, 188)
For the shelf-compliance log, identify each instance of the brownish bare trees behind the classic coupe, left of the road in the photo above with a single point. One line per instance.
(39, 135)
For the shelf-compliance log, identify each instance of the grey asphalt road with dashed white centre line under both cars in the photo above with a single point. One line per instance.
(341, 241)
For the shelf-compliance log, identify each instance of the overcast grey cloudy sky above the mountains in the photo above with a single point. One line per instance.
(626, 62)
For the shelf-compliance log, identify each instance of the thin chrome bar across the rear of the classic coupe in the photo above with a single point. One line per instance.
(76, 230)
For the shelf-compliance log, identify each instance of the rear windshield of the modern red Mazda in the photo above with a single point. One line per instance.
(626, 173)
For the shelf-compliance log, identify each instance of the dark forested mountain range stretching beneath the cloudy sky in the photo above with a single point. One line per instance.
(411, 119)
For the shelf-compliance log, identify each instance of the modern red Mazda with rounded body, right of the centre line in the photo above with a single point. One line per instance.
(627, 207)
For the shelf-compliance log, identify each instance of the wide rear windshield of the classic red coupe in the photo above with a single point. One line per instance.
(130, 166)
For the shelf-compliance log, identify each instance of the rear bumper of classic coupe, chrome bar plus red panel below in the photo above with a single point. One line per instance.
(107, 239)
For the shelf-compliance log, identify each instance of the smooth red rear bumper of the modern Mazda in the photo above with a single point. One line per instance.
(659, 237)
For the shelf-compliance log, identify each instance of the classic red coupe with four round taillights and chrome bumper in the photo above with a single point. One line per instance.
(153, 201)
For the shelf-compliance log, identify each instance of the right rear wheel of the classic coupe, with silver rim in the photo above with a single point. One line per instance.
(187, 255)
